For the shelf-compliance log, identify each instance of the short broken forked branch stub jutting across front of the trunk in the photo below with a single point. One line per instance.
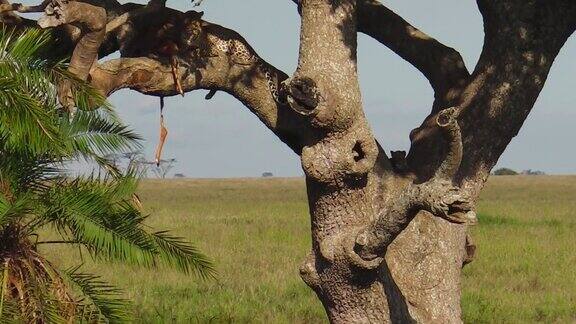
(438, 196)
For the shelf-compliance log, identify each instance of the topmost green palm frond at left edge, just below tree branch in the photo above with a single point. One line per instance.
(27, 105)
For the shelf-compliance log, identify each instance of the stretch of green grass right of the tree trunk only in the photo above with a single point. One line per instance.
(524, 270)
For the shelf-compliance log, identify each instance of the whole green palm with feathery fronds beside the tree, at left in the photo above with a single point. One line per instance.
(41, 206)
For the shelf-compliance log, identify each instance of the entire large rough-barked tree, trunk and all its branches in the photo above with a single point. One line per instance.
(389, 235)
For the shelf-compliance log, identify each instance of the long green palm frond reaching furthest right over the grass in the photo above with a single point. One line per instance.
(101, 215)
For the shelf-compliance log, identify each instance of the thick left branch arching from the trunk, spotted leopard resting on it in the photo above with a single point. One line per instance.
(214, 59)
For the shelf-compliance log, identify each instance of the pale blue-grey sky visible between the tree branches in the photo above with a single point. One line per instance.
(221, 138)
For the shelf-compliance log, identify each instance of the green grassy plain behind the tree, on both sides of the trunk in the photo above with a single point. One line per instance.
(257, 232)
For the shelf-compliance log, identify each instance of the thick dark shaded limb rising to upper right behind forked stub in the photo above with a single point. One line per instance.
(522, 39)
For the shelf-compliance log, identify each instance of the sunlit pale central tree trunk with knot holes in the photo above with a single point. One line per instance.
(351, 185)
